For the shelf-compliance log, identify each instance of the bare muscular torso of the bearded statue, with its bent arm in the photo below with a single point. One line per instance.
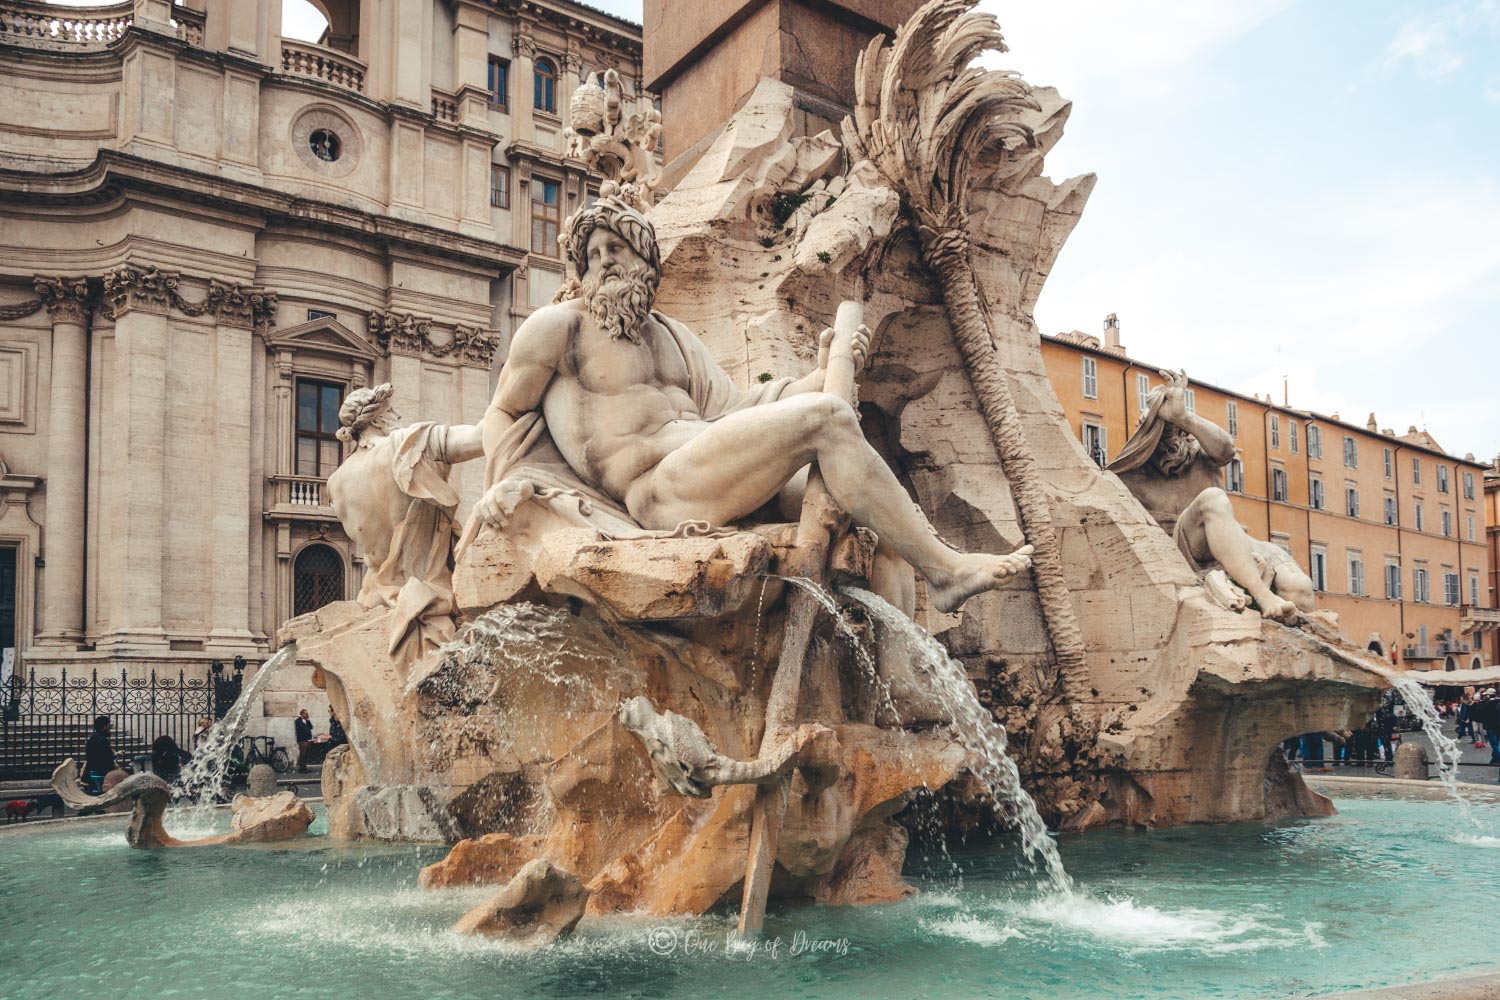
(614, 409)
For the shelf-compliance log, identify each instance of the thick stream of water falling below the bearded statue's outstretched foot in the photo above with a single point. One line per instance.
(979, 732)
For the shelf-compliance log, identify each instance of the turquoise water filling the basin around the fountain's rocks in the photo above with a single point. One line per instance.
(1387, 893)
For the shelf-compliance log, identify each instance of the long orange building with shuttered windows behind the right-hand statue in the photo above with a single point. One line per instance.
(1391, 528)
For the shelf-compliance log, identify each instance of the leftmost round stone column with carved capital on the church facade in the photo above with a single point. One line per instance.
(67, 461)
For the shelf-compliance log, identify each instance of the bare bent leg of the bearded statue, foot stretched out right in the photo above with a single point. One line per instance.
(742, 461)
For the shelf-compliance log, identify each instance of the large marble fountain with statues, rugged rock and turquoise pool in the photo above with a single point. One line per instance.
(619, 710)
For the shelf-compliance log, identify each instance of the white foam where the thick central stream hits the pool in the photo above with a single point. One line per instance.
(1133, 927)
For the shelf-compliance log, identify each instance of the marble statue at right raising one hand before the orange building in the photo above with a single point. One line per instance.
(1174, 464)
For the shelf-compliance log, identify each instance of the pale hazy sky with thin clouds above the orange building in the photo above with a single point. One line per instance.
(1304, 190)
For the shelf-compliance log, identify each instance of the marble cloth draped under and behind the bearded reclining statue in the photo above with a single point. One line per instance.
(527, 455)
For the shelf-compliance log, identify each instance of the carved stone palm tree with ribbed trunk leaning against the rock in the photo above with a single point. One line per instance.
(923, 116)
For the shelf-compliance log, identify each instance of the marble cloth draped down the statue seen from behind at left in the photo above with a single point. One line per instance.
(416, 579)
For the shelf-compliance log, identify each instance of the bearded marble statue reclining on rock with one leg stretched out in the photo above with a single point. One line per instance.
(622, 418)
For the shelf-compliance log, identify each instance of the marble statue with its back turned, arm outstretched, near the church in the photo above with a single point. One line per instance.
(395, 501)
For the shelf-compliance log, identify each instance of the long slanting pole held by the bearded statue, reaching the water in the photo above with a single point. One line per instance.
(809, 560)
